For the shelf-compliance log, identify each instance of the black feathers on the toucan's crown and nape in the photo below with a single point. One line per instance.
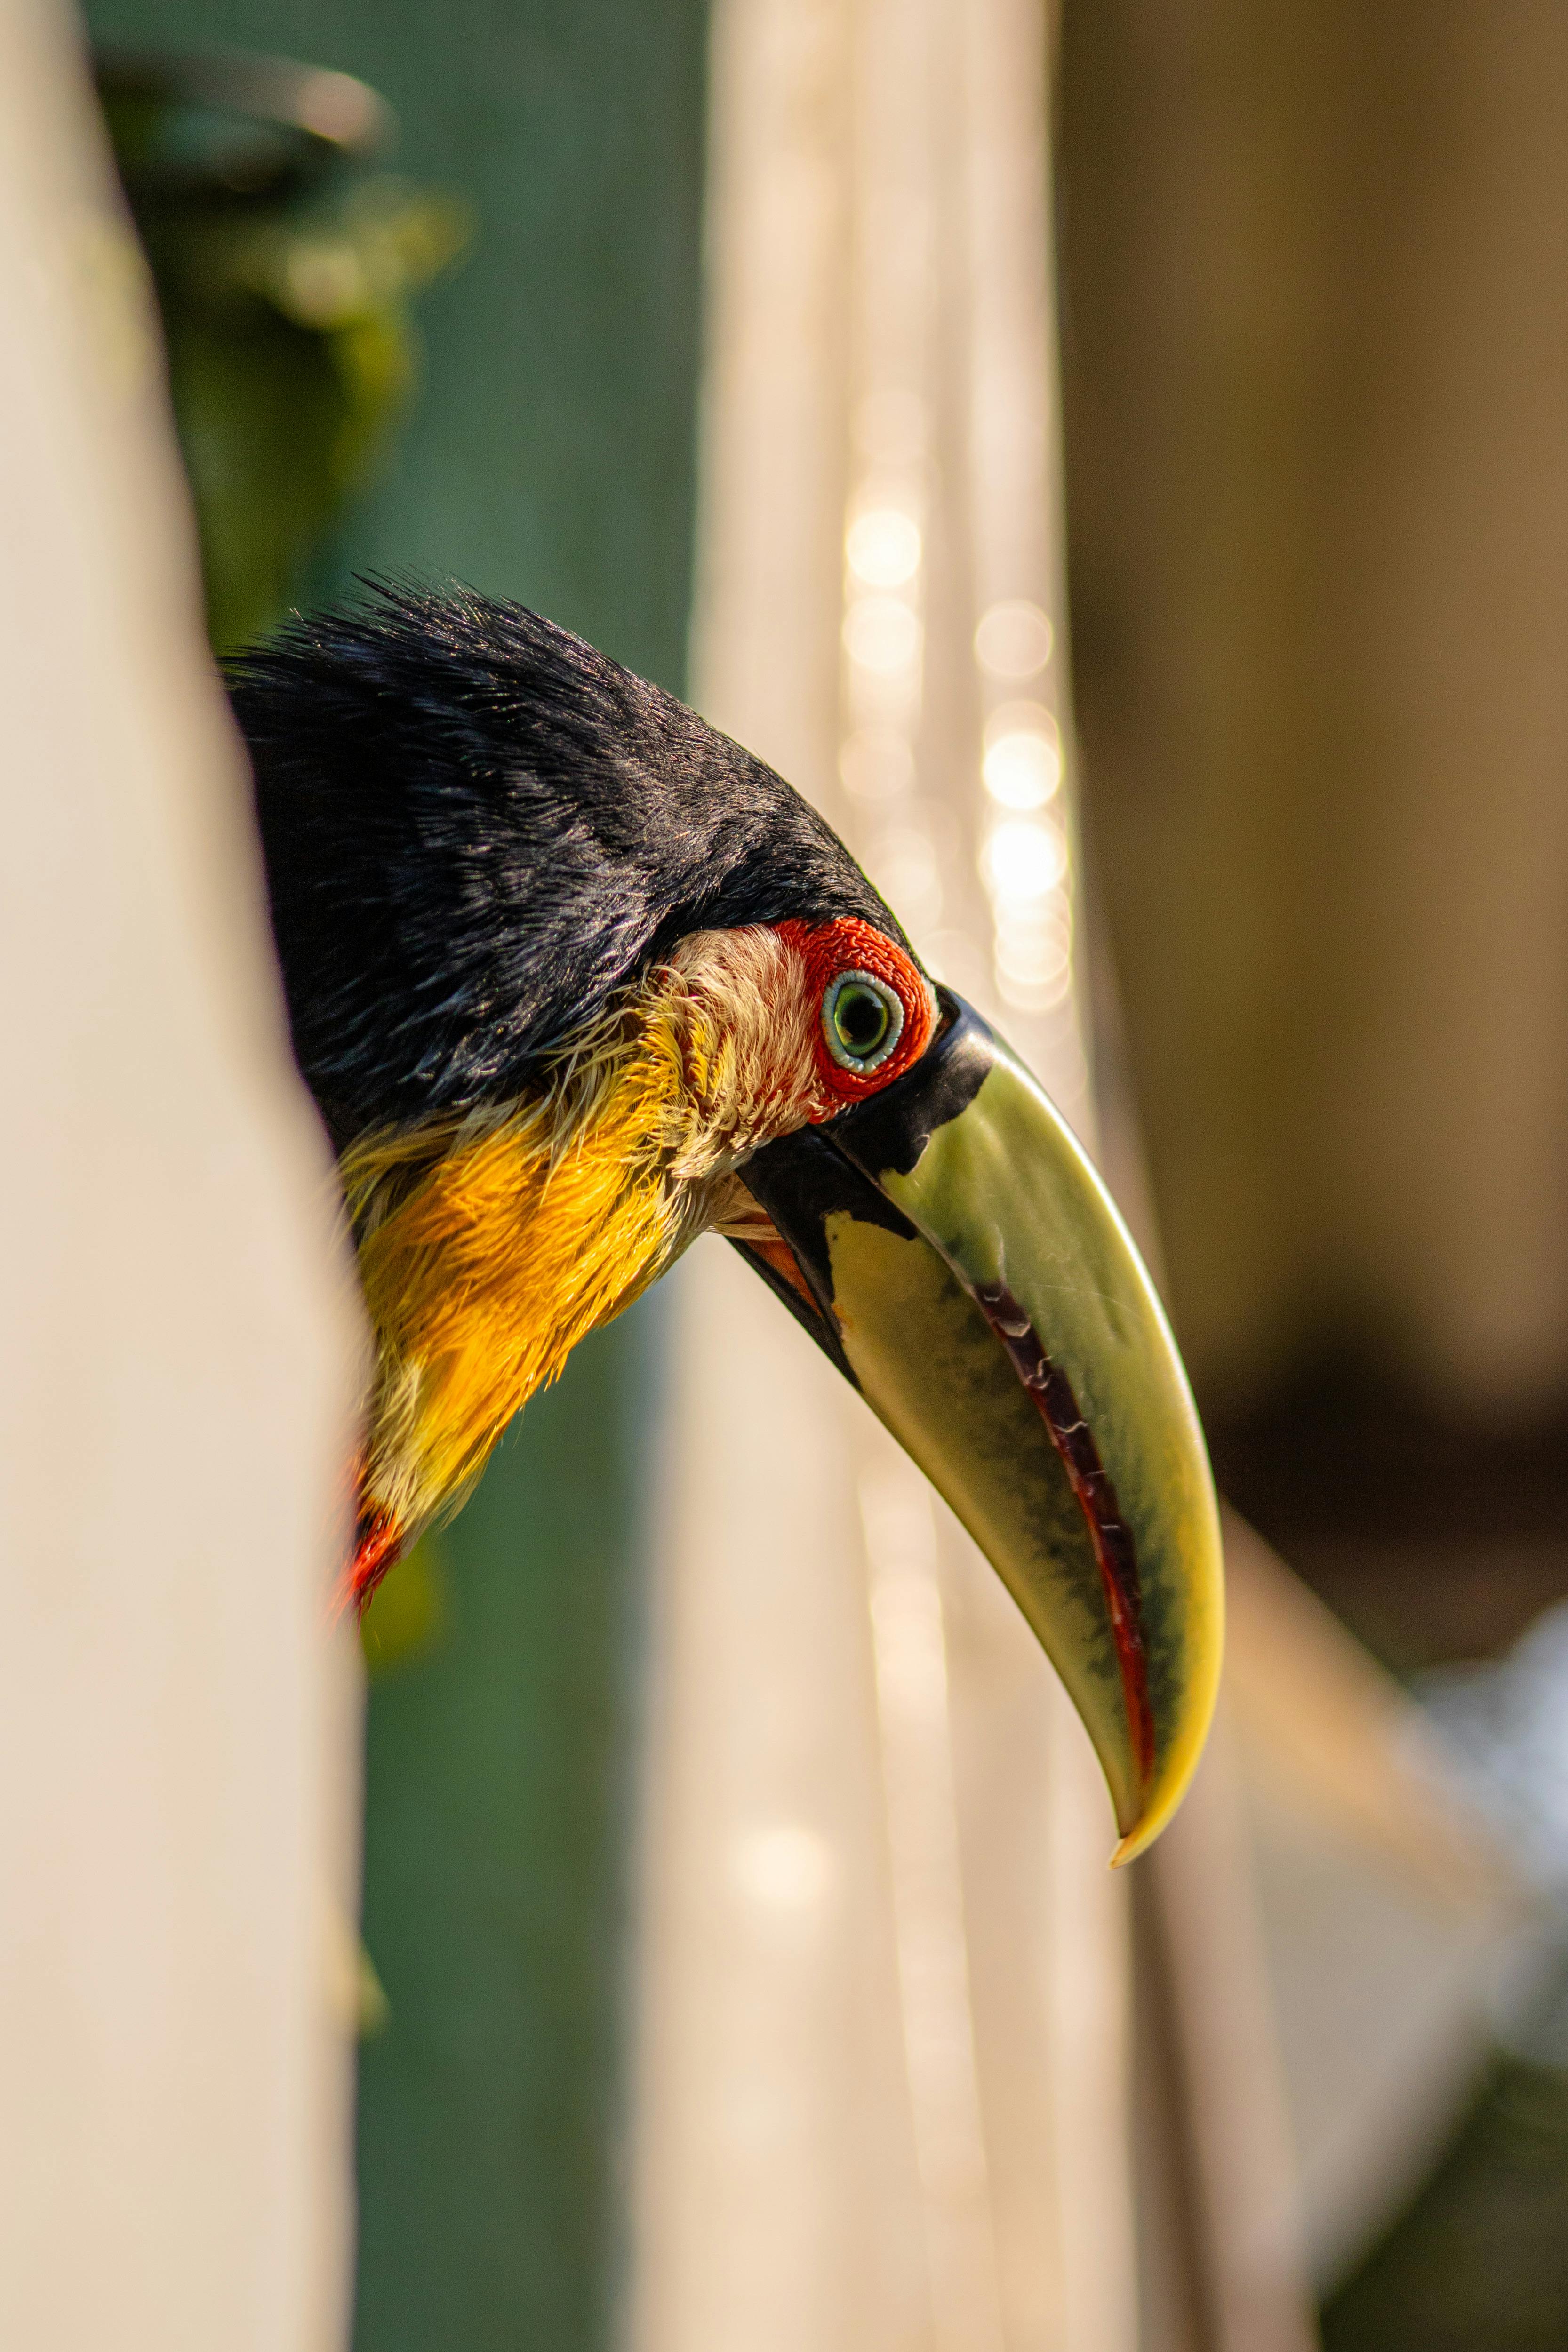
(476, 829)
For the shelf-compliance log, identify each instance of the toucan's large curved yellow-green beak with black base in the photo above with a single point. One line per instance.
(958, 1257)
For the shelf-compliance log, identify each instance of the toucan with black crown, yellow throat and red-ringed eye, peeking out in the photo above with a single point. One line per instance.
(575, 980)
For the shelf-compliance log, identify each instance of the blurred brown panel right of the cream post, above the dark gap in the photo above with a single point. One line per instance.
(1320, 514)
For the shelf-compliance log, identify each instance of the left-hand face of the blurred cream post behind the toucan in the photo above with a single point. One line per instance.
(777, 2186)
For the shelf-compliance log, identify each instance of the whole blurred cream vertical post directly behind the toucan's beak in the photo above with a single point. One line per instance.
(885, 1979)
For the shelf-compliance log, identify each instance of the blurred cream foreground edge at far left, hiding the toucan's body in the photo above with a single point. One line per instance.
(177, 1365)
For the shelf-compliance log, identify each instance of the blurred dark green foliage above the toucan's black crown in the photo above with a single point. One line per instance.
(283, 279)
